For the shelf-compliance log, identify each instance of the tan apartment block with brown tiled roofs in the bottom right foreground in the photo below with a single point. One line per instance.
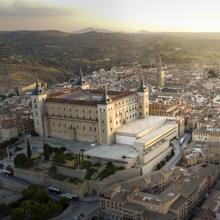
(176, 200)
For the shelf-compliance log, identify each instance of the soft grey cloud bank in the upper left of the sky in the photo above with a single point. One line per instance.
(27, 8)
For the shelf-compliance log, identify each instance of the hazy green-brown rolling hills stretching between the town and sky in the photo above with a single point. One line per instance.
(57, 55)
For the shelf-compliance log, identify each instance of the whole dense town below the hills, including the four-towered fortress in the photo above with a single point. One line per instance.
(126, 142)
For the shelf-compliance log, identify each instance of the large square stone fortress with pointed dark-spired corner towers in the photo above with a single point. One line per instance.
(82, 114)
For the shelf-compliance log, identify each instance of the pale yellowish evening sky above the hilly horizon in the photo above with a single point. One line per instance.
(115, 15)
